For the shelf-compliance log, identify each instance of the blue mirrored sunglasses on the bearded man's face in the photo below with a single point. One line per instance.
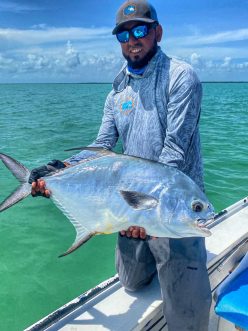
(137, 32)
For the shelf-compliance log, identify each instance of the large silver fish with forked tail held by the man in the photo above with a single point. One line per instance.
(109, 192)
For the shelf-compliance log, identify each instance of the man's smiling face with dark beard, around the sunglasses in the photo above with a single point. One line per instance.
(138, 52)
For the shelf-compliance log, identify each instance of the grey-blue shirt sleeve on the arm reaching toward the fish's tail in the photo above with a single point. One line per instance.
(107, 135)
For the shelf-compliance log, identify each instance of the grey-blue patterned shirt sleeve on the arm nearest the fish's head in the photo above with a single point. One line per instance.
(184, 107)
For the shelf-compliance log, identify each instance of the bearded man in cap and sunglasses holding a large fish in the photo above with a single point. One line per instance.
(154, 108)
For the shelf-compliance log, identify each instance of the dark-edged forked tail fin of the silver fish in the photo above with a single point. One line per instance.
(22, 174)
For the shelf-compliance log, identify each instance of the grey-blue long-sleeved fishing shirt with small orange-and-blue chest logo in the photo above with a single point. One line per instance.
(156, 115)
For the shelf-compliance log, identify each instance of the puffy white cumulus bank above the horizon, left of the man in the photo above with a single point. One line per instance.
(64, 65)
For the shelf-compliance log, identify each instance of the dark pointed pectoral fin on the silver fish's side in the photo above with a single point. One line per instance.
(139, 200)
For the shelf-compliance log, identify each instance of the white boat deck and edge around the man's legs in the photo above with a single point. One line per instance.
(117, 310)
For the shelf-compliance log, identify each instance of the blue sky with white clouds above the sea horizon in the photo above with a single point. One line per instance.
(71, 40)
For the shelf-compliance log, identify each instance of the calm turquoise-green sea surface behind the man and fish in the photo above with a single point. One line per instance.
(37, 123)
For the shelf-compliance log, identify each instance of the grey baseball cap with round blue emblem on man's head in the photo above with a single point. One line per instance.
(135, 10)
